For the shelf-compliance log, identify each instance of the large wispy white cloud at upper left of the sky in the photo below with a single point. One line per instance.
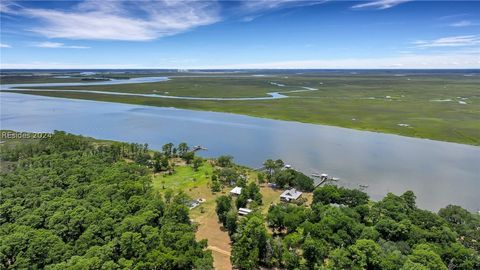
(124, 20)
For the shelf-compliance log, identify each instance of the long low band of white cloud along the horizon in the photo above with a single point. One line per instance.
(459, 60)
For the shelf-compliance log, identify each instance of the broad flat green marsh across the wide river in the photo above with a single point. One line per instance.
(430, 105)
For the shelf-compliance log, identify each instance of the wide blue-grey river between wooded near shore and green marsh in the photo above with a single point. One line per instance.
(439, 173)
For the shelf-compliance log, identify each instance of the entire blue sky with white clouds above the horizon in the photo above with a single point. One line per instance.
(240, 34)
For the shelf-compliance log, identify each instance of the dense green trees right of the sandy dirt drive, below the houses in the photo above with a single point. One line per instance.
(343, 229)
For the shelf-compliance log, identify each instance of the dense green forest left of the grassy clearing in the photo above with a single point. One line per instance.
(68, 202)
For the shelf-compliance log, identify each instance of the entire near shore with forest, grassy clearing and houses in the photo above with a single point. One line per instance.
(72, 202)
